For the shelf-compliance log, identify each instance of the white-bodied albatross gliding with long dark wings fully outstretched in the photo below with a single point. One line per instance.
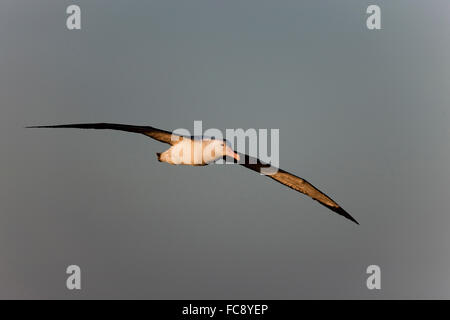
(187, 150)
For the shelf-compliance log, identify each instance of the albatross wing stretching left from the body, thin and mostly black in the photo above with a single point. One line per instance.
(157, 134)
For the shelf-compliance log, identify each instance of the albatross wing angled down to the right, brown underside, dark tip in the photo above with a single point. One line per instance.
(295, 183)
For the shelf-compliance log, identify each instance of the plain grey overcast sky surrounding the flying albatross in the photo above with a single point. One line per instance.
(364, 115)
